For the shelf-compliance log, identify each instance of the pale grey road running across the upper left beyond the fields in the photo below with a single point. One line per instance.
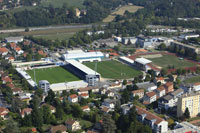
(48, 28)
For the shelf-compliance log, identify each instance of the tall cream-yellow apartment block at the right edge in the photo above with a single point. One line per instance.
(191, 101)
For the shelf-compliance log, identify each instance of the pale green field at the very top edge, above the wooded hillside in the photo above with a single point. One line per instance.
(59, 3)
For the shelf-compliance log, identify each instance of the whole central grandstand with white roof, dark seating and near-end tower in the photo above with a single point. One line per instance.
(83, 72)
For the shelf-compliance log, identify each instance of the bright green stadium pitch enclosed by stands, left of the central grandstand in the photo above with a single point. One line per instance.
(53, 75)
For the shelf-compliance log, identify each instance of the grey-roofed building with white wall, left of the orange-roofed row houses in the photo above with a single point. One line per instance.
(149, 86)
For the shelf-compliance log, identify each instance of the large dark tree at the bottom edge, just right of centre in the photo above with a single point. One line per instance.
(108, 124)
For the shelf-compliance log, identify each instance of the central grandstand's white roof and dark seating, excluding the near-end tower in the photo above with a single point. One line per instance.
(81, 70)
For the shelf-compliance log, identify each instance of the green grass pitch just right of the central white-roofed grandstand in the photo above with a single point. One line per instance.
(114, 69)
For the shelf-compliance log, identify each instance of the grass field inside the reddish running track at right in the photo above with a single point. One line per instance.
(167, 60)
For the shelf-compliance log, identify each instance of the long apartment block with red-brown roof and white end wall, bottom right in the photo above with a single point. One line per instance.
(157, 124)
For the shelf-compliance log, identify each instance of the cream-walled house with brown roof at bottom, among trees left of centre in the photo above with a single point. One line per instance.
(72, 125)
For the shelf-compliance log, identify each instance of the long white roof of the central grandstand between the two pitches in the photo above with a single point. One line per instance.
(82, 67)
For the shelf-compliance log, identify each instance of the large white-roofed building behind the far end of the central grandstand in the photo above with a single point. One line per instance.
(82, 56)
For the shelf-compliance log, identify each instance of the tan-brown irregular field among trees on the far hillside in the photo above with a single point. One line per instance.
(121, 11)
